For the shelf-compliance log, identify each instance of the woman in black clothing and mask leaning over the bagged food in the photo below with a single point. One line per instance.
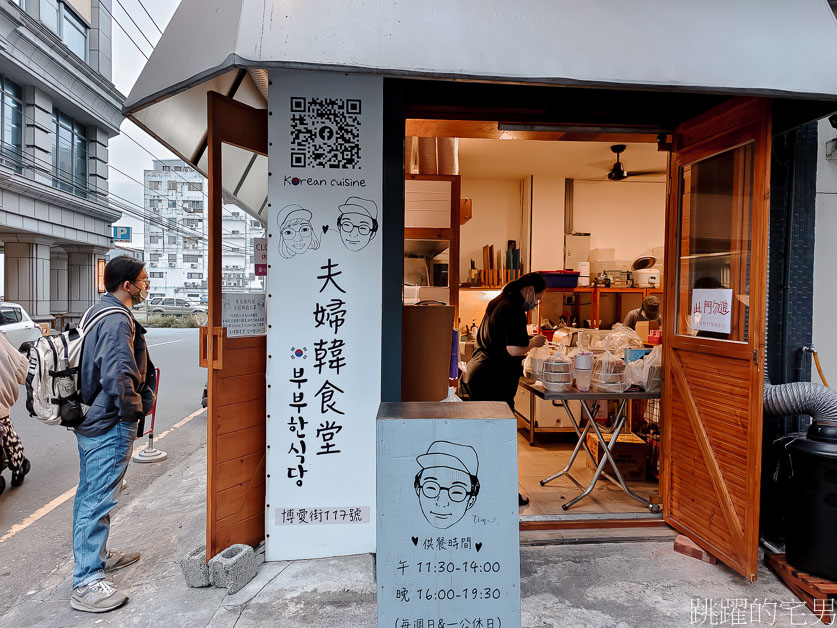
(502, 343)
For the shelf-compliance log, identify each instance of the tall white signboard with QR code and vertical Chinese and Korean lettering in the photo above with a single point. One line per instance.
(324, 313)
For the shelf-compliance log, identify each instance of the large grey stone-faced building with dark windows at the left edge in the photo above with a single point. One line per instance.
(59, 110)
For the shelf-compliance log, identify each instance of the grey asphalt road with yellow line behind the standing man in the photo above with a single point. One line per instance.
(30, 549)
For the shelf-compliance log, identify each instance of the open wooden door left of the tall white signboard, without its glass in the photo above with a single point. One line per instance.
(236, 380)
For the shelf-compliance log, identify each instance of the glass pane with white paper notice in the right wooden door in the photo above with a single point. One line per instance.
(715, 233)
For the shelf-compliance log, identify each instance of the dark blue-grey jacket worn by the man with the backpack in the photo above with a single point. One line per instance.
(117, 376)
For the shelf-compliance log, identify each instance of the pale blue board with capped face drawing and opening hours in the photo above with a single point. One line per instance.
(448, 547)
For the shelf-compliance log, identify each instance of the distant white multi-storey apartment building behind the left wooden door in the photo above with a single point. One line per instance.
(175, 235)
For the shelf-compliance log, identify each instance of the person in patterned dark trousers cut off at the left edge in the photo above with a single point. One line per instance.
(13, 367)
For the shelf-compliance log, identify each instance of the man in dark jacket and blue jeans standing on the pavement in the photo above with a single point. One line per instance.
(117, 381)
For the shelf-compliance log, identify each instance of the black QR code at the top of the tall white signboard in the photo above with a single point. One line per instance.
(325, 133)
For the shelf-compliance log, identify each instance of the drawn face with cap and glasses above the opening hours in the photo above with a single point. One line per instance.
(447, 485)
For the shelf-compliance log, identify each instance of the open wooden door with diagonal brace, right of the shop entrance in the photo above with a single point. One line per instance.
(716, 261)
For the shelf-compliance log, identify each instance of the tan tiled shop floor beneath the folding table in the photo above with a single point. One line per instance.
(548, 456)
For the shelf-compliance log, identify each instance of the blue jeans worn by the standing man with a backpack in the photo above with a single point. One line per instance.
(103, 462)
